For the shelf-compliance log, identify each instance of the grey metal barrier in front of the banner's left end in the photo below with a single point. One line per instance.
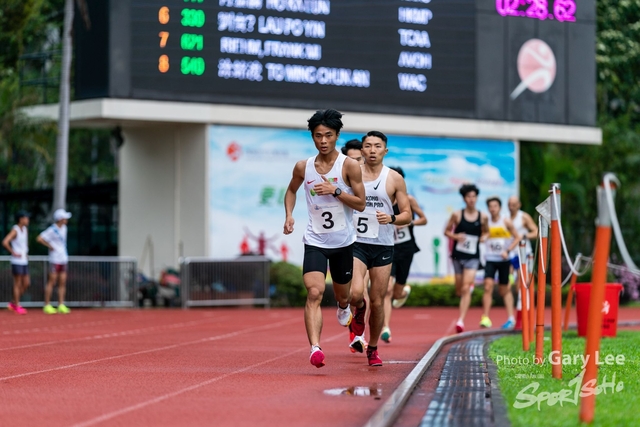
(214, 282)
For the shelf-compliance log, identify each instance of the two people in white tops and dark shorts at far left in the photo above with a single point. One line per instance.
(55, 239)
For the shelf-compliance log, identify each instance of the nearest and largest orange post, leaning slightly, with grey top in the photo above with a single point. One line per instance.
(594, 323)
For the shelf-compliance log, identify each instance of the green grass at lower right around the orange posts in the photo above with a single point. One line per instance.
(614, 407)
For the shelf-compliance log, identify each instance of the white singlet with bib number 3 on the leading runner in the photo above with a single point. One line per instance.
(330, 221)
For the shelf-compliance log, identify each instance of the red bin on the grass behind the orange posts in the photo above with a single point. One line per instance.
(609, 308)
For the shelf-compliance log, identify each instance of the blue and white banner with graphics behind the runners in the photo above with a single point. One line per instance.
(250, 169)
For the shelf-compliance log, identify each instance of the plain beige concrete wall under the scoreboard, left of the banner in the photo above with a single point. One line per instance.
(162, 196)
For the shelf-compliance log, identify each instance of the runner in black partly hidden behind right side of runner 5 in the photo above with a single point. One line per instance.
(403, 250)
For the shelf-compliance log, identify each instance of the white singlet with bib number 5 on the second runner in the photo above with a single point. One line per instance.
(368, 230)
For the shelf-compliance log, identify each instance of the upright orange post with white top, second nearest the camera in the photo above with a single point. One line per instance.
(556, 284)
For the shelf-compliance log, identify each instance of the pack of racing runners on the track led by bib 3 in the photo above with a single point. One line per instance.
(360, 224)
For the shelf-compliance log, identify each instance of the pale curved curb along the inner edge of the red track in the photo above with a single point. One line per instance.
(391, 408)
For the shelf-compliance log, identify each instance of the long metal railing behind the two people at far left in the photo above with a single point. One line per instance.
(91, 282)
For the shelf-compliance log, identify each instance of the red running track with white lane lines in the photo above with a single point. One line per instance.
(203, 367)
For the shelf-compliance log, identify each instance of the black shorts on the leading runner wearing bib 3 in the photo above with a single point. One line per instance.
(340, 262)
